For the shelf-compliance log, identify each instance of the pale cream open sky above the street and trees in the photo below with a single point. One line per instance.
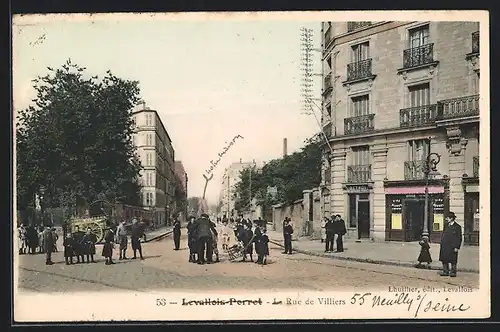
(209, 79)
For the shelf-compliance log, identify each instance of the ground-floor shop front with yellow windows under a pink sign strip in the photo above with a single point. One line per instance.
(405, 212)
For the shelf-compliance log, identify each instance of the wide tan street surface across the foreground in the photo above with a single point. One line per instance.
(164, 268)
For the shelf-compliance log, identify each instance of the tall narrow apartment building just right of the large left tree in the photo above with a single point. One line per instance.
(154, 147)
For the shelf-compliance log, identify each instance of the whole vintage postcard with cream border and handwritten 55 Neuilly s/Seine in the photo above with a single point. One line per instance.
(251, 166)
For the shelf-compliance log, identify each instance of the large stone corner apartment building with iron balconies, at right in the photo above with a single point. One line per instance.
(394, 93)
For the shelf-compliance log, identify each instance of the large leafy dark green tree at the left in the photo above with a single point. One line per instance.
(75, 139)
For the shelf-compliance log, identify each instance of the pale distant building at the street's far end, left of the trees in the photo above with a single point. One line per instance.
(230, 178)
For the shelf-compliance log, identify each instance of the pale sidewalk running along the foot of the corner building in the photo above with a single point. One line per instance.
(387, 253)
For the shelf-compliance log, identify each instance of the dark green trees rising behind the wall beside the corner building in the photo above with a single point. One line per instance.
(290, 175)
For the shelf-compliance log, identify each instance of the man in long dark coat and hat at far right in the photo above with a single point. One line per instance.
(451, 240)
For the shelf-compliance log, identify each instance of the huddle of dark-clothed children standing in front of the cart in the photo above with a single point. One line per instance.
(80, 245)
